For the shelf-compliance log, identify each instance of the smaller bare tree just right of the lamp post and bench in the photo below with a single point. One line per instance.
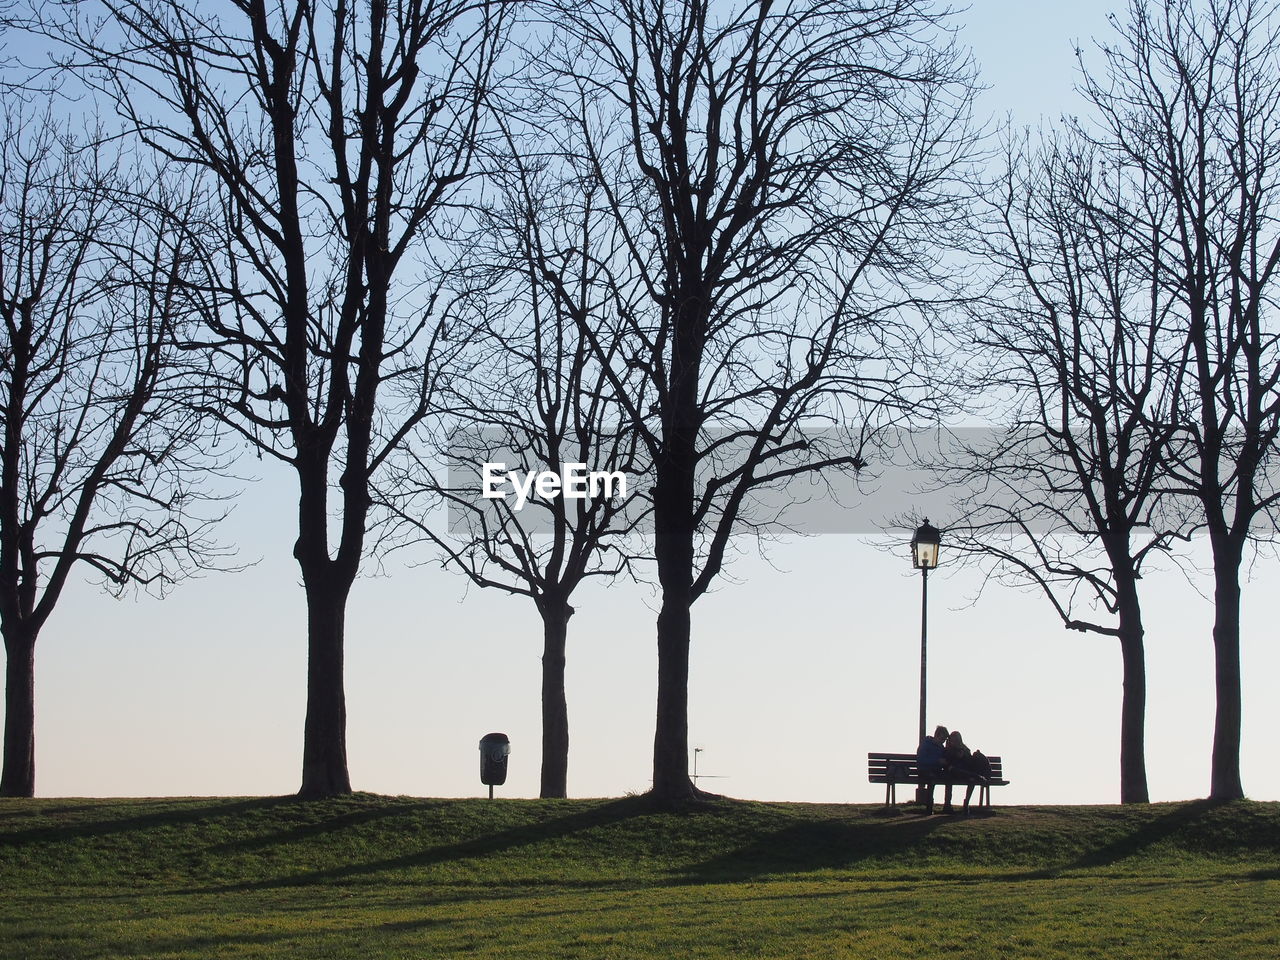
(1072, 344)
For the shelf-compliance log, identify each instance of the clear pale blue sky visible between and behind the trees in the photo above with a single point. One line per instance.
(801, 665)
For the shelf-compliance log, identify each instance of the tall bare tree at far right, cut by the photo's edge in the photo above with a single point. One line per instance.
(1187, 113)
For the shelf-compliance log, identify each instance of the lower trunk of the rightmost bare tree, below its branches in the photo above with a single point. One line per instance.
(1226, 776)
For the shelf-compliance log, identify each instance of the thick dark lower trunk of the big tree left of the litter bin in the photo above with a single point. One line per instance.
(324, 737)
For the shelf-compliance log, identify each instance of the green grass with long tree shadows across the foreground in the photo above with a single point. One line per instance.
(399, 877)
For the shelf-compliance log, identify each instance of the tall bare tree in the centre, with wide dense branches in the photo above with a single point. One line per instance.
(776, 172)
